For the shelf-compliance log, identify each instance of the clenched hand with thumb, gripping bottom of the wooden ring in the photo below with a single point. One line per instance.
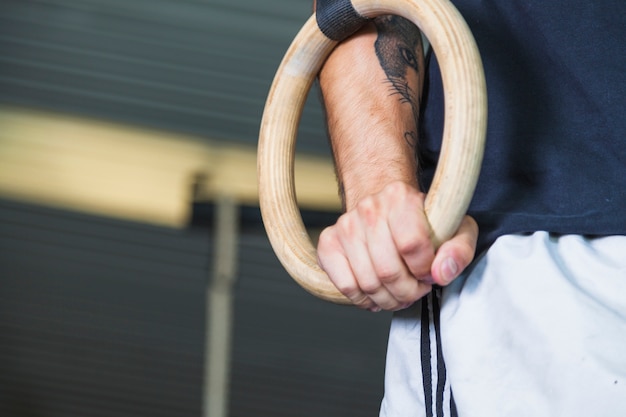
(380, 254)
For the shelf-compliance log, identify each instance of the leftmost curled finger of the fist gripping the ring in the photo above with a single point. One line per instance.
(333, 260)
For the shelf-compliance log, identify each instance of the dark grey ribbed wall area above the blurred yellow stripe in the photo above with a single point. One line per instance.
(195, 67)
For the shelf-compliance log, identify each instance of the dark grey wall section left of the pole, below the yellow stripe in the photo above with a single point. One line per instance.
(98, 317)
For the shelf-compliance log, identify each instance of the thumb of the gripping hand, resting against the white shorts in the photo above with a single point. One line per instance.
(455, 254)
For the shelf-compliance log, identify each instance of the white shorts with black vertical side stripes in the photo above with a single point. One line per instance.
(536, 327)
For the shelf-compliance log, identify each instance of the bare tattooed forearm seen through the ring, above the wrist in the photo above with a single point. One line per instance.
(371, 85)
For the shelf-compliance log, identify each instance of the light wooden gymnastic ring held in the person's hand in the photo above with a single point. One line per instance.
(462, 144)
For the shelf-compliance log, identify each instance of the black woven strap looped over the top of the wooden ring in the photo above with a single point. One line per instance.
(337, 19)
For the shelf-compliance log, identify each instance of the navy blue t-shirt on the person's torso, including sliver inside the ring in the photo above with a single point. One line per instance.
(555, 156)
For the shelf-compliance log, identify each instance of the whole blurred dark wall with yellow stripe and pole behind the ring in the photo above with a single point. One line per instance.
(135, 274)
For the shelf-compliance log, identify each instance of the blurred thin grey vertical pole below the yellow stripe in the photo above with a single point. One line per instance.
(219, 310)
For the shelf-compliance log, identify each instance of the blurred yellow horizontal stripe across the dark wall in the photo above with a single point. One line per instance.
(133, 173)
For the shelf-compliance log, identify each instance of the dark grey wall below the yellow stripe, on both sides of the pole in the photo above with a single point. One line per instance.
(102, 317)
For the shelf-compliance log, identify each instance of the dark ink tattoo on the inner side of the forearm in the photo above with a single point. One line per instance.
(399, 51)
